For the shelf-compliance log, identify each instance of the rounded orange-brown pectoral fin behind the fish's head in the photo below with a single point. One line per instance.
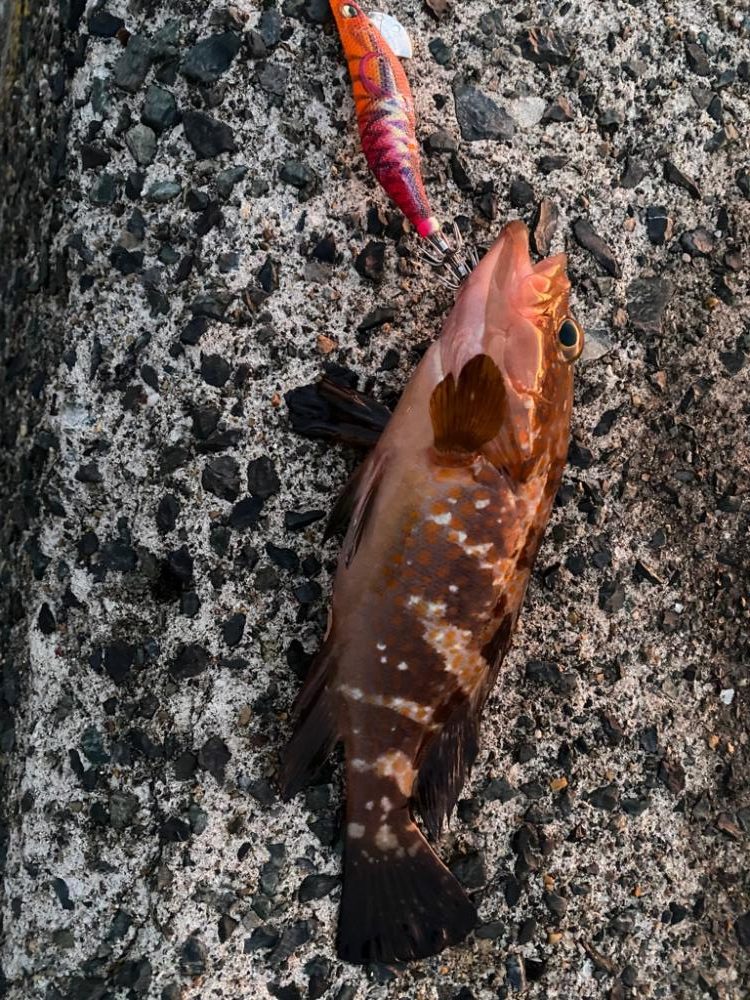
(468, 413)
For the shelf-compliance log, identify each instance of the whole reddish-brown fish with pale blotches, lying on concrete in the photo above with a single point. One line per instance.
(446, 515)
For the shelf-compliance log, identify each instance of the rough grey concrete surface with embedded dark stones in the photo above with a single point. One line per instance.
(189, 232)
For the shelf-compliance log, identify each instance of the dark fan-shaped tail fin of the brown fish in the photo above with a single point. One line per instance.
(399, 902)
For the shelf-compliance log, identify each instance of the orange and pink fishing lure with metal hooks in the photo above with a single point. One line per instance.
(387, 126)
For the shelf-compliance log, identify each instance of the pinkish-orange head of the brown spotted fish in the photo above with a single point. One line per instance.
(518, 313)
